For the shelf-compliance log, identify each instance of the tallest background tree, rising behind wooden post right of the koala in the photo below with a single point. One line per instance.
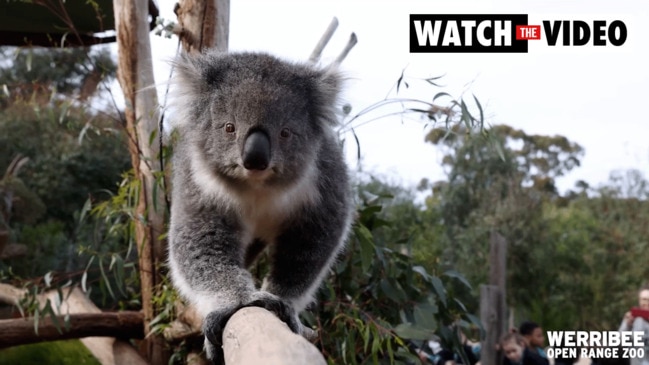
(499, 184)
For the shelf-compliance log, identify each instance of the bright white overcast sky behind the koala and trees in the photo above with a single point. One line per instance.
(596, 97)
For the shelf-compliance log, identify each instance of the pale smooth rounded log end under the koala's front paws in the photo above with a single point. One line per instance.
(256, 336)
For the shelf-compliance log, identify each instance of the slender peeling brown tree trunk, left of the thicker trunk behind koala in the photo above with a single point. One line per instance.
(135, 75)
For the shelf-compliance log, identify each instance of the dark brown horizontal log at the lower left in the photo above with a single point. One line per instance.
(127, 324)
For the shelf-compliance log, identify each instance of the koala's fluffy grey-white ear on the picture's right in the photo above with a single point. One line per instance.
(326, 85)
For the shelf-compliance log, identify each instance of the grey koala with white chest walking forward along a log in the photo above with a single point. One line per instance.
(256, 165)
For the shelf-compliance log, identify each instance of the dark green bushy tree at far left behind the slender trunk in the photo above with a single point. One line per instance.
(75, 152)
